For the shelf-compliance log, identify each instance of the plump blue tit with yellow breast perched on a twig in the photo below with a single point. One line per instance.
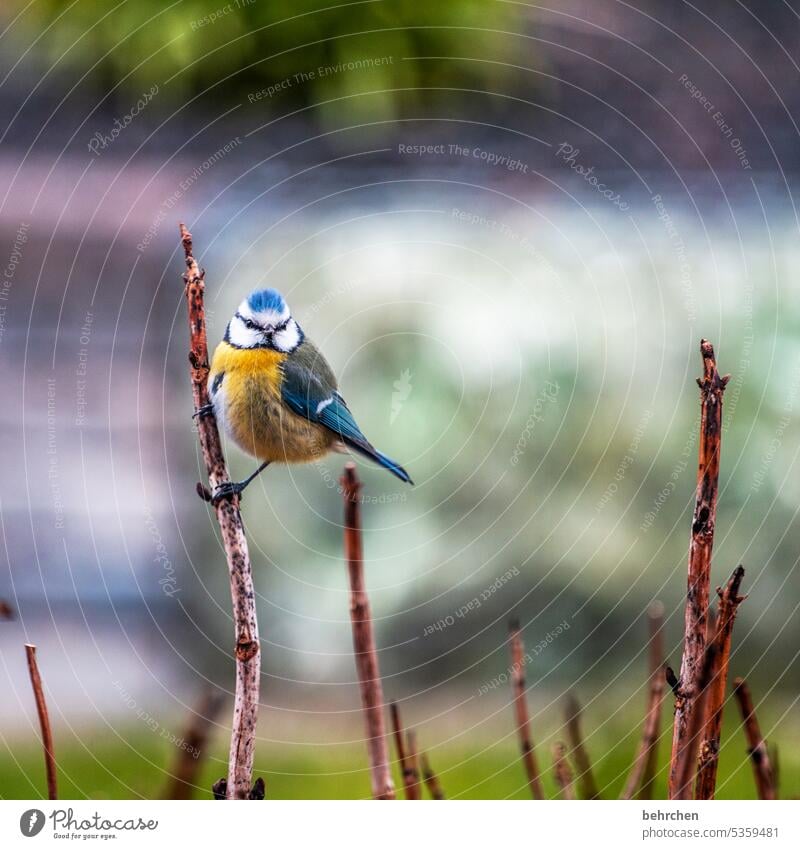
(275, 395)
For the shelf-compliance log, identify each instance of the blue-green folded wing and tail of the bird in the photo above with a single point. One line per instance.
(309, 389)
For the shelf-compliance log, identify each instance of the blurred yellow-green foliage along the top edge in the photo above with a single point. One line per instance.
(243, 48)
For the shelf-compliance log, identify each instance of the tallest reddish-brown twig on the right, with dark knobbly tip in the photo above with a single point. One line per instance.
(712, 387)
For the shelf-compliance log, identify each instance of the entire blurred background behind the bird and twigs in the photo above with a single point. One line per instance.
(508, 227)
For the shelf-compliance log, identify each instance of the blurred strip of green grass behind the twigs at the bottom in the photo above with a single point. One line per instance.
(98, 764)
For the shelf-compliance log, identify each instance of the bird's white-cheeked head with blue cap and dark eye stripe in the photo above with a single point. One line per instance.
(263, 320)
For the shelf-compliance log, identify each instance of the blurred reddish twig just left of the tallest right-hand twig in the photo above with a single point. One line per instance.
(643, 769)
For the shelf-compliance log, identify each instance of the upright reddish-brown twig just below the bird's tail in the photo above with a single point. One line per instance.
(364, 641)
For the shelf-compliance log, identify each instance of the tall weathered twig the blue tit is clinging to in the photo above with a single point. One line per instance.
(247, 649)
